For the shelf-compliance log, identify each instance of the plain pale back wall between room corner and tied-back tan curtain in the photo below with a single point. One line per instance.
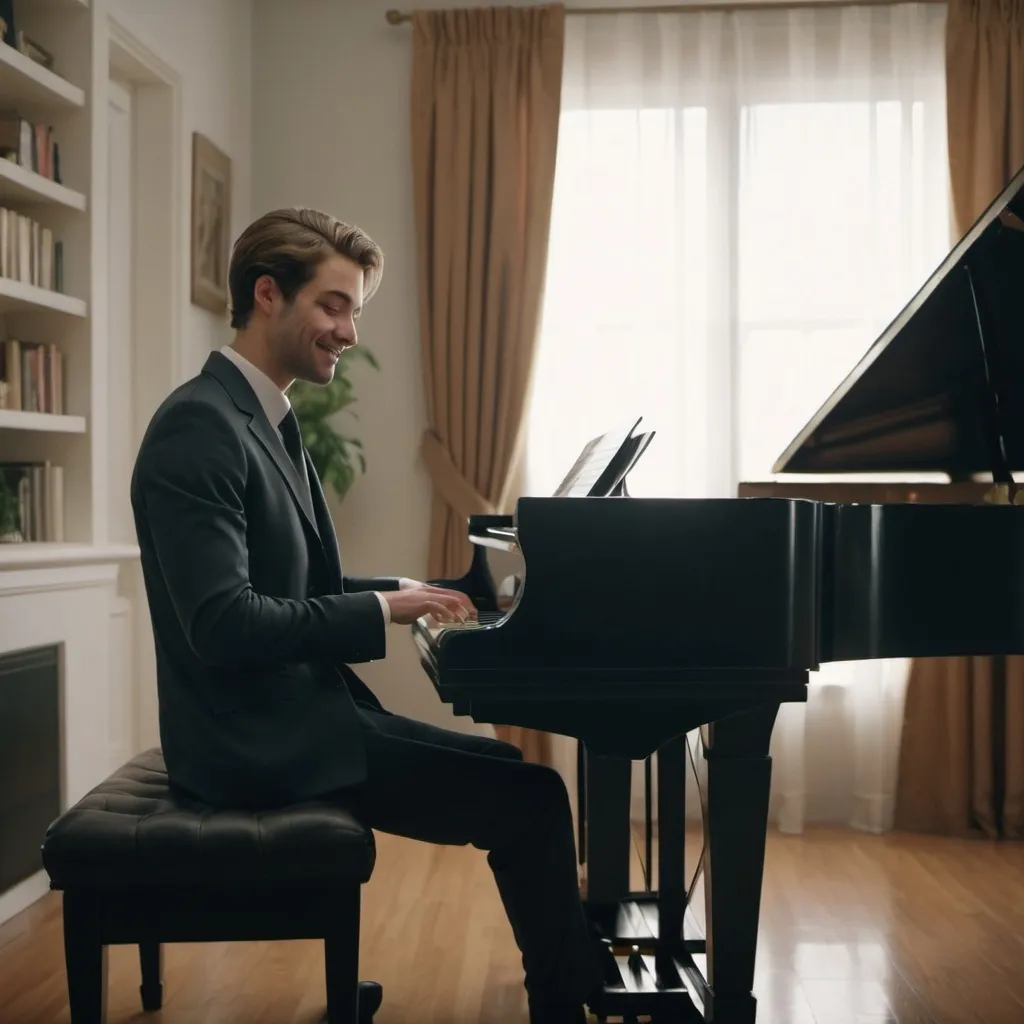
(331, 131)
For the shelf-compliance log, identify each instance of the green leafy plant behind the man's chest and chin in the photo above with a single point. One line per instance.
(336, 456)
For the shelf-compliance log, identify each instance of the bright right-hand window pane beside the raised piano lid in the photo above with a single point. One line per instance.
(837, 231)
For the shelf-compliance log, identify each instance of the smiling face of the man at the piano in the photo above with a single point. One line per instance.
(308, 336)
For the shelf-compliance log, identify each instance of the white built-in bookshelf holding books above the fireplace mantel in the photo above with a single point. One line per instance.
(64, 99)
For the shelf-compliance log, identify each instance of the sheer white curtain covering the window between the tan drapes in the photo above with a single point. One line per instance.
(743, 202)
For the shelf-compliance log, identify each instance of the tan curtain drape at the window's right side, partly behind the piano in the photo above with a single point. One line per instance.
(962, 754)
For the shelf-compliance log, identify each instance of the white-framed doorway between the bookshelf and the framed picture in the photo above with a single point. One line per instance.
(145, 300)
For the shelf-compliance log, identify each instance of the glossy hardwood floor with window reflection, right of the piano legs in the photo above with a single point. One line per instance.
(860, 929)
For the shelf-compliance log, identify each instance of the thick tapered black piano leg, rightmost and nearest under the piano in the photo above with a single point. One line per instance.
(736, 816)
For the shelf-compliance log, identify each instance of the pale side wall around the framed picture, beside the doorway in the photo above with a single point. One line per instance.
(209, 45)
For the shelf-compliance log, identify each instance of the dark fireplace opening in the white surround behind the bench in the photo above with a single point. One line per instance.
(30, 758)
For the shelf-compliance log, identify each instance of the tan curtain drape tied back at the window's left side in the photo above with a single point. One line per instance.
(486, 102)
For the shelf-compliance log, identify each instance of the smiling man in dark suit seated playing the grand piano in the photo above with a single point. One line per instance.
(257, 626)
